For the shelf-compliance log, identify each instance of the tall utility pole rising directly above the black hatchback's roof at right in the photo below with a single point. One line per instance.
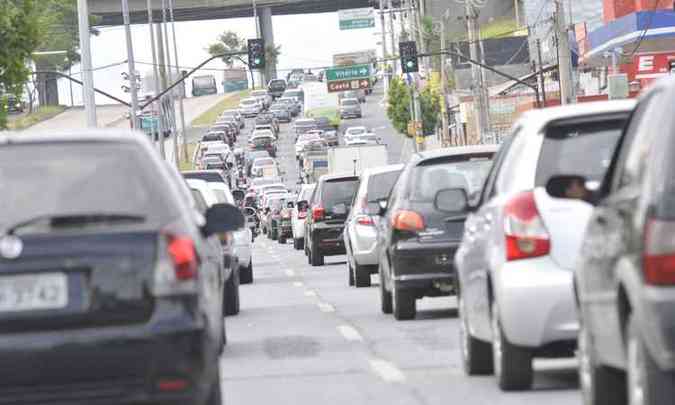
(479, 99)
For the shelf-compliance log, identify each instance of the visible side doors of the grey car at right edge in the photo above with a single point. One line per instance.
(611, 237)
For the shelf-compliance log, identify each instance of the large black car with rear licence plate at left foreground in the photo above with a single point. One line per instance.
(110, 292)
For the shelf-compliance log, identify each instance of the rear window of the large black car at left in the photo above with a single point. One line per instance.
(76, 178)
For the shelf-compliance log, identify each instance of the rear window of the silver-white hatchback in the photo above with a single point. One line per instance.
(578, 148)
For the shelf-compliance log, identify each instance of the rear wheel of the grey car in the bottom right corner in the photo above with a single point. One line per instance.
(647, 384)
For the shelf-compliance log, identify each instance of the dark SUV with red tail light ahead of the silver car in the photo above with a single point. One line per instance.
(329, 209)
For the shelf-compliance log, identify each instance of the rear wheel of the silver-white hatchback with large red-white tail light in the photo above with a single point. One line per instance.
(512, 364)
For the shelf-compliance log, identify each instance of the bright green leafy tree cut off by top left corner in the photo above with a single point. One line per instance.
(19, 36)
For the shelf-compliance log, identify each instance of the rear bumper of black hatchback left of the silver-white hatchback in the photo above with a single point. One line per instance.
(426, 267)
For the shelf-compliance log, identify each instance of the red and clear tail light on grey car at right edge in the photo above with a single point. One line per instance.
(659, 252)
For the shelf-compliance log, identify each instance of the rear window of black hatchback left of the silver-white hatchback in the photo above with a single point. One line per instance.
(464, 171)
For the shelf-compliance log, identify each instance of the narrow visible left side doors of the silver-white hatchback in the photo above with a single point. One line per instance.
(473, 263)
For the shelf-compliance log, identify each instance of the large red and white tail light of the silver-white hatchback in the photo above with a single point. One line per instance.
(526, 235)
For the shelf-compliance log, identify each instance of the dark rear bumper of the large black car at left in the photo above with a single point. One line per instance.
(110, 365)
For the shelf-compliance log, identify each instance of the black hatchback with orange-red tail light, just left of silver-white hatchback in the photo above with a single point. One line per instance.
(417, 239)
